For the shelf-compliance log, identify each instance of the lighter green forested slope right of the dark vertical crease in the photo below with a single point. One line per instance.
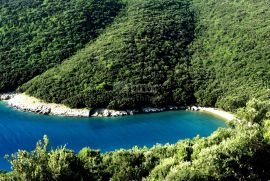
(231, 52)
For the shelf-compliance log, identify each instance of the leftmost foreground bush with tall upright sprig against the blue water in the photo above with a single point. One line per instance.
(40, 164)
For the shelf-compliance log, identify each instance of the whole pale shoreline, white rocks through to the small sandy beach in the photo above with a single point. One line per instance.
(27, 103)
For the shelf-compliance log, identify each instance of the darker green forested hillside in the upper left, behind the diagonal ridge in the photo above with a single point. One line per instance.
(36, 35)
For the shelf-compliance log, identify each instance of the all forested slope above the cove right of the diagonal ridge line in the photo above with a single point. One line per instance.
(209, 53)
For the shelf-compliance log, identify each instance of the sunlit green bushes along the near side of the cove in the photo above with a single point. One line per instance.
(241, 152)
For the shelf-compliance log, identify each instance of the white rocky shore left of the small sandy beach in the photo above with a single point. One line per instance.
(27, 103)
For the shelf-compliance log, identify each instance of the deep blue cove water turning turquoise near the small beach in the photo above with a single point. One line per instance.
(19, 130)
